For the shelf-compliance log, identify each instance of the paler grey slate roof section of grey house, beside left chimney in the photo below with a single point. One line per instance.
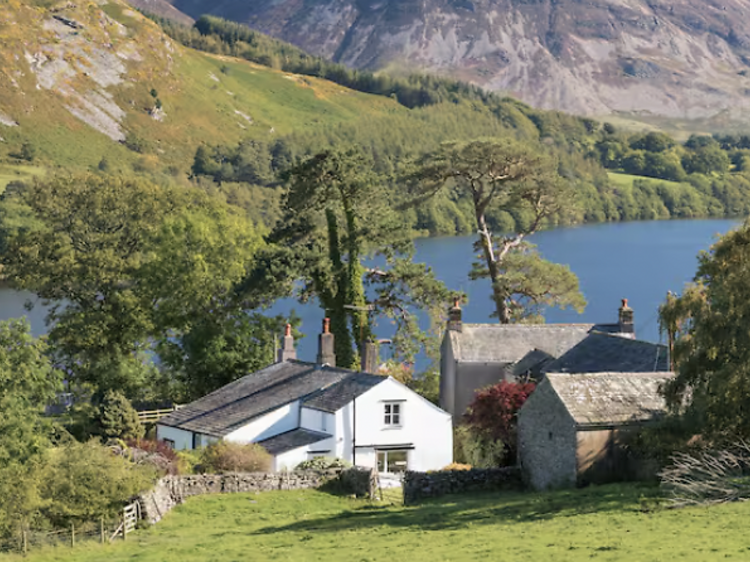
(509, 343)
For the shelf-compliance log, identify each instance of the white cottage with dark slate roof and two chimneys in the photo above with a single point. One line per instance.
(299, 410)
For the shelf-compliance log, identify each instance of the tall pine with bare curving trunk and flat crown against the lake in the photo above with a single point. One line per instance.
(502, 175)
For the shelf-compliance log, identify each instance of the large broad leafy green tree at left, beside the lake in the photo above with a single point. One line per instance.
(122, 263)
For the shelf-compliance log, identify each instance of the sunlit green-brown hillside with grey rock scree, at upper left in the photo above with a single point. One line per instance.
(92, 80)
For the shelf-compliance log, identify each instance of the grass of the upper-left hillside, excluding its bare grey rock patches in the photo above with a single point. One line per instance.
(200, 101)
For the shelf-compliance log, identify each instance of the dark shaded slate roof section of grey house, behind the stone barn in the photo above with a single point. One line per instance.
(604, 352)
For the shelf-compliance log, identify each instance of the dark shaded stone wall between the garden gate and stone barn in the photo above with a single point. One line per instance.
(422, 485)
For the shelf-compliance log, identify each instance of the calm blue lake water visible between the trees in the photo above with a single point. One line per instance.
(640, 261)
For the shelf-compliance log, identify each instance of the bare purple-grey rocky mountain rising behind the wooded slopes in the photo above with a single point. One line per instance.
(676, 59)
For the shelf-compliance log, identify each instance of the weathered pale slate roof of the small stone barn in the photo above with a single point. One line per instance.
(610, 399)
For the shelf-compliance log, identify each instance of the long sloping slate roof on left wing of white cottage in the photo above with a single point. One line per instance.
(234, 405)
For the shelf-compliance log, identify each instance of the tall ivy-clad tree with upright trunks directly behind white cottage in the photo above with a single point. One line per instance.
(337, 212)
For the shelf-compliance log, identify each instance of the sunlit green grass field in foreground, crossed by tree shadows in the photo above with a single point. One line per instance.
(599, 523)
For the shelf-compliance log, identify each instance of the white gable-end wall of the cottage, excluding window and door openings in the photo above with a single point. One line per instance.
(428, 428)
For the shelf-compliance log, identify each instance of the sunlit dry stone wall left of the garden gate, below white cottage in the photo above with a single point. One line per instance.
(173, 490)
